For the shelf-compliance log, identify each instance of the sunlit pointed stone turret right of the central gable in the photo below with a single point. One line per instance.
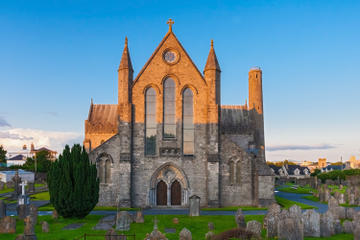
(212, 76)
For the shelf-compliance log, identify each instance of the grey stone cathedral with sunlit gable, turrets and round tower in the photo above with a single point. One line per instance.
(169, 138)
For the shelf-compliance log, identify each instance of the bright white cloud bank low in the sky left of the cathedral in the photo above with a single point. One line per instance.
(14, 139)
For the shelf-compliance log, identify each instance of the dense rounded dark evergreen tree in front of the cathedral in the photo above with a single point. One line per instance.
(73, 183)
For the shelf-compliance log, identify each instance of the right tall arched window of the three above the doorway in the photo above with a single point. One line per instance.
(188, 123)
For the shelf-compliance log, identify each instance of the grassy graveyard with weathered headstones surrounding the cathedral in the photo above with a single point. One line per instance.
(331, 210)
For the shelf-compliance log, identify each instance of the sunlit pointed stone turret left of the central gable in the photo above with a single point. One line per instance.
(125, 76)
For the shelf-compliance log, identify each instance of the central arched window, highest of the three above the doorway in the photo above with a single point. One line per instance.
(169, 127)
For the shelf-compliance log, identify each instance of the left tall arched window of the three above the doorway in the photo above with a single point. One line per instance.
(150, 122)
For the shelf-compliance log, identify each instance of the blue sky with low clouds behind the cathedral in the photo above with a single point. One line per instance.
(56, 55)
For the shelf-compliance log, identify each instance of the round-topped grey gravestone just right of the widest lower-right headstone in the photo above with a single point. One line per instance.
(311, 220)
